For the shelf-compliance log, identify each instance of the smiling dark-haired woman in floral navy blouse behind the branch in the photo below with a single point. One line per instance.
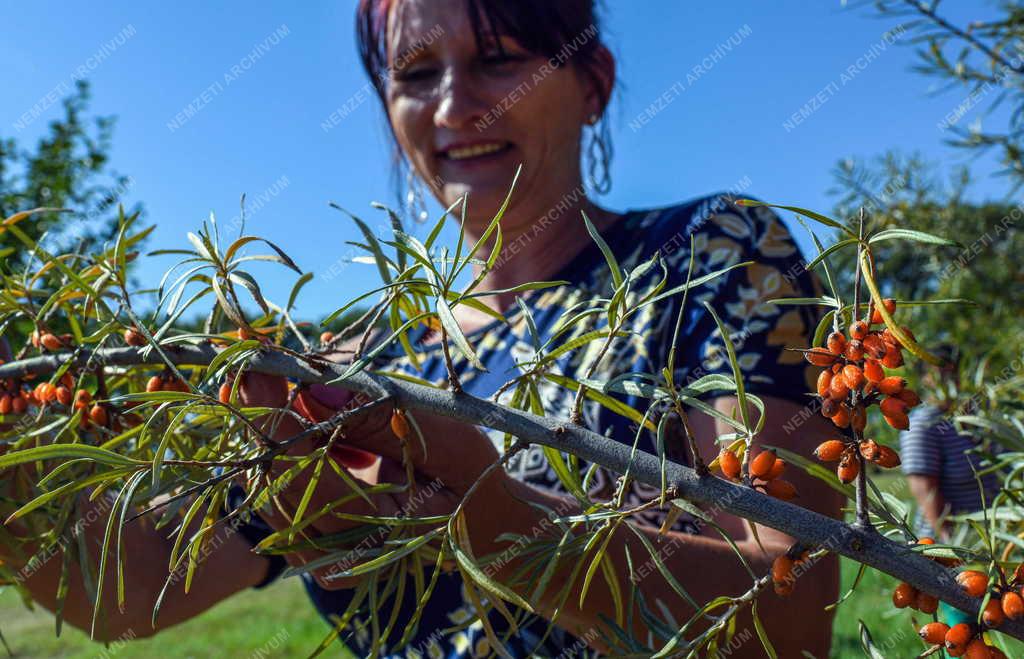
(473, 89)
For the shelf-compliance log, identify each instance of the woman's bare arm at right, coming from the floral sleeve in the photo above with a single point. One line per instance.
(705, 565)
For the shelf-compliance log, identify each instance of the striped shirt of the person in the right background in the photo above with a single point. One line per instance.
(933, 448)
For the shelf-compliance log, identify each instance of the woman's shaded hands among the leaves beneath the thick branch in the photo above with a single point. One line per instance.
(445, 466)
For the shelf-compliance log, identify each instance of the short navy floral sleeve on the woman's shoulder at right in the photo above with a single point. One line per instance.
(761, 333)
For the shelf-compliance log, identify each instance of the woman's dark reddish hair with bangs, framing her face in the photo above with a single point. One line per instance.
(547, 28)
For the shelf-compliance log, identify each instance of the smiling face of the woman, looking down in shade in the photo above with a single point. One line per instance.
(466, 118)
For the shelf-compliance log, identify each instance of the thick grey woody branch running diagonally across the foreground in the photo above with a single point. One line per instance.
(806, 526)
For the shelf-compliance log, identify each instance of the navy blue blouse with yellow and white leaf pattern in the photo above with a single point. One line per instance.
(723, 235)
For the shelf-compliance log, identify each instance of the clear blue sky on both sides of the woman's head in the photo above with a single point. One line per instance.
(261, 128)
